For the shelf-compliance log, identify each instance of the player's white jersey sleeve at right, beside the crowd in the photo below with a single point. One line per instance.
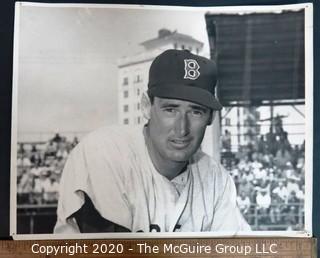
(227, 216)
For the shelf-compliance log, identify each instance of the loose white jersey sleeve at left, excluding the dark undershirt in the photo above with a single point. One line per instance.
(93, 170)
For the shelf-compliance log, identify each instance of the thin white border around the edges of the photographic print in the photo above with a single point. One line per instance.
(308, 7)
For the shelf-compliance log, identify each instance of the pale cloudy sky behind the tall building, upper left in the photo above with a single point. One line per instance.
(67, 59)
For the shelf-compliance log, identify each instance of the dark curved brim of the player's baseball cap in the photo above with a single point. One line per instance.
(189, 93)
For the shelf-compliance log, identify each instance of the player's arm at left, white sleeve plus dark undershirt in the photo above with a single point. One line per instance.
(91, 194)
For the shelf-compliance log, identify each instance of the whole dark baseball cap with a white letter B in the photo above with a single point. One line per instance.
(179, 74)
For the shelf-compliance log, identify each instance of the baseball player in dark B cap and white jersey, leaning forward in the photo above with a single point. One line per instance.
(154, 178)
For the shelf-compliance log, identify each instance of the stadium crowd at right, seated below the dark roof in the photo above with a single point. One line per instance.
(269, 176)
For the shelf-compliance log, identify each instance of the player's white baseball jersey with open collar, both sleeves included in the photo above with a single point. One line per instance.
(112, 166)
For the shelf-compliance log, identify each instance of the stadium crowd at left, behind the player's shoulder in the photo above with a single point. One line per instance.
(39, 168)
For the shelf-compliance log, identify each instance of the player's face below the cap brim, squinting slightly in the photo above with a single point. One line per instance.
(176, 128)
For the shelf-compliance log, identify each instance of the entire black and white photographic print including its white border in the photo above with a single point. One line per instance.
(134, 121)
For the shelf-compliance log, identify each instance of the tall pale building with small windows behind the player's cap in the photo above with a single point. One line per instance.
(133, 71)
